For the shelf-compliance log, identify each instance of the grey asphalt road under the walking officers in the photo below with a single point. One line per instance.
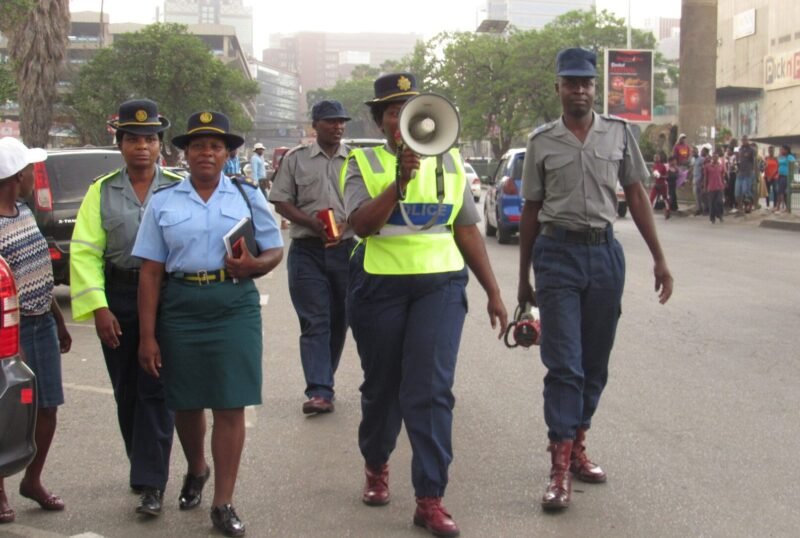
(697, 428)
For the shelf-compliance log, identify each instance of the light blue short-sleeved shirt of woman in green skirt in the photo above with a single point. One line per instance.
(185, 233)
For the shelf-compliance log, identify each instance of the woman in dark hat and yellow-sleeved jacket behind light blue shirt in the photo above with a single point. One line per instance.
(103, 282)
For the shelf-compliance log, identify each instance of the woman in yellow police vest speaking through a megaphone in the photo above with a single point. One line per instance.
(407, 302)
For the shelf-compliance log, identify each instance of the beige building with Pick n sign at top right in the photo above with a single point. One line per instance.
(757, 75)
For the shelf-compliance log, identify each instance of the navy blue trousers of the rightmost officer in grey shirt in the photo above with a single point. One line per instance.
(579, 291)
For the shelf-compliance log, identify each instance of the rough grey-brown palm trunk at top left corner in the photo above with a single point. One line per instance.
(37, 43)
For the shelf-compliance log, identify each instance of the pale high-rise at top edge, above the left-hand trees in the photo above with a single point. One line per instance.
(221, 12)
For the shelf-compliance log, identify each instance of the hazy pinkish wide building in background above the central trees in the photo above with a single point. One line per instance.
(321, 59)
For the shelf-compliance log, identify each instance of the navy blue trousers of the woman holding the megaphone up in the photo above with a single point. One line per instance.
(408, 330)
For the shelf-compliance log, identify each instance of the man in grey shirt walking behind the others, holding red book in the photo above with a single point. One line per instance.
(307, 183)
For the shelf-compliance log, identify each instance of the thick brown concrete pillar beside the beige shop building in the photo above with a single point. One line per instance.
(698, 68)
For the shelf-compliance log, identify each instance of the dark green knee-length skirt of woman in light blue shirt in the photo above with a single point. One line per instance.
(210, 340)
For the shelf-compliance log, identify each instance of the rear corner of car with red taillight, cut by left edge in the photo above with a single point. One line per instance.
(17, 385)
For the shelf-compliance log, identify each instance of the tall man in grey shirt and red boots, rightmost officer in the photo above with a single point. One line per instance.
(570, 174)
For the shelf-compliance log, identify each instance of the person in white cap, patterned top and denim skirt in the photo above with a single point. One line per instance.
(43, 334)
